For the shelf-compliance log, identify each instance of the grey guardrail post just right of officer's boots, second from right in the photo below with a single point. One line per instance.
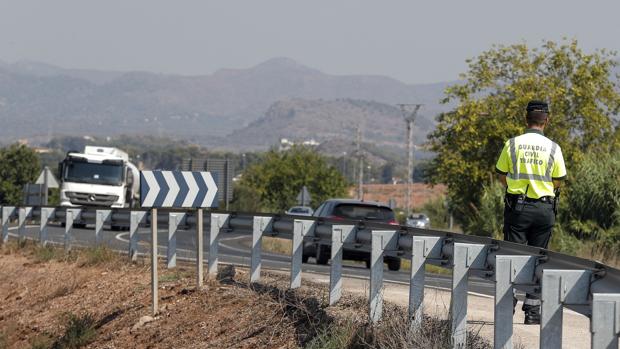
(560, 287)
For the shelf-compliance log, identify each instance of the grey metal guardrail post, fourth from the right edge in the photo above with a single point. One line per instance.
(465, 256)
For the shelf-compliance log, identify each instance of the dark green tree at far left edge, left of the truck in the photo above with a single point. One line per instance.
(19, 165)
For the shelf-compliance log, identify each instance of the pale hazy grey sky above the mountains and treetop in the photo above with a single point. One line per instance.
(412, 41)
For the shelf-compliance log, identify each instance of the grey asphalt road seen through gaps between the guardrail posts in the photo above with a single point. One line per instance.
(233, 249)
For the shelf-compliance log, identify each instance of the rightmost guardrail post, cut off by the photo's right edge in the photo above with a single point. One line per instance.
(605, 324)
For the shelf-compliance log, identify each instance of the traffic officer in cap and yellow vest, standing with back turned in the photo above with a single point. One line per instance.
(532, 168)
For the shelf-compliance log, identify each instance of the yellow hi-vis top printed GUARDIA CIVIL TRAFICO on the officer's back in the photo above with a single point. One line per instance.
(531, 162)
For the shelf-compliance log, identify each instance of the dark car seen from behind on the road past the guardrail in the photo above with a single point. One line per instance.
(353, 210)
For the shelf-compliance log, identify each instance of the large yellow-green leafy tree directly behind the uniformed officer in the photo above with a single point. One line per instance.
(490, 102)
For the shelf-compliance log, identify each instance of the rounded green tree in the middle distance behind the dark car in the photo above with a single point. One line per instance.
(279, 177)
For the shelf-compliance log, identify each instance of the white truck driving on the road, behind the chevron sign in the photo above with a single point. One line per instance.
(100, 176)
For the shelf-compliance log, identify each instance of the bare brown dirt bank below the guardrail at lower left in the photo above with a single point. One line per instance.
(38, 296)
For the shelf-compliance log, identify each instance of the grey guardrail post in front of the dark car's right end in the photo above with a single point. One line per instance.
(381, 240)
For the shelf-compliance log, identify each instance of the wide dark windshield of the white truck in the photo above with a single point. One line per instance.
(87, 172)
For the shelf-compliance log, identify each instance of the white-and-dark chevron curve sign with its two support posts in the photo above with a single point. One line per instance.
(175, 189)
